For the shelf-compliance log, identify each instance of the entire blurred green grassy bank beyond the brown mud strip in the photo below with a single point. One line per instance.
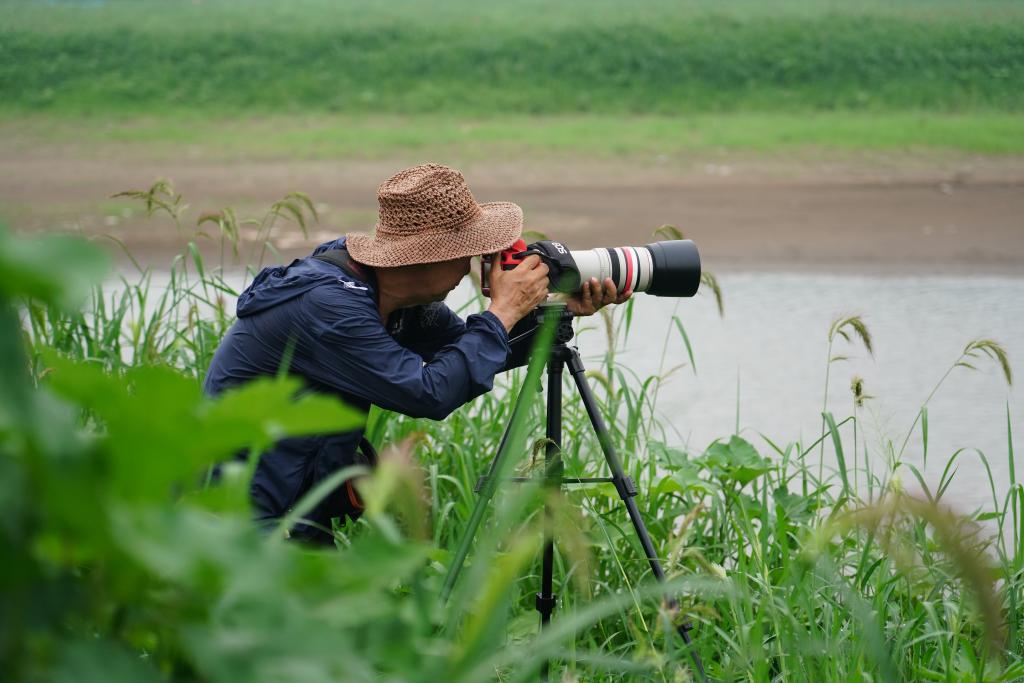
(319, 79)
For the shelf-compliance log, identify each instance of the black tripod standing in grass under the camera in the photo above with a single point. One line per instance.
(564, 356)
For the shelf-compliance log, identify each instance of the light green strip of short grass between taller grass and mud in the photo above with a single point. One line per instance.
(340, 137)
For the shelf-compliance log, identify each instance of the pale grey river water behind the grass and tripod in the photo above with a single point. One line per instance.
(762, 366)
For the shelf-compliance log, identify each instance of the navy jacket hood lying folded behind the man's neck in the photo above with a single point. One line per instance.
(283, 283)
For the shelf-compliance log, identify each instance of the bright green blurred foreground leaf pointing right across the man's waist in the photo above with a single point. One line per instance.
(161, 432)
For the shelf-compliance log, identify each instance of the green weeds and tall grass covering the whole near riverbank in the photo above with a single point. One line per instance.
(121, 565)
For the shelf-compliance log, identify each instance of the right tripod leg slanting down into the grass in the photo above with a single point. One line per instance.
(626, 489)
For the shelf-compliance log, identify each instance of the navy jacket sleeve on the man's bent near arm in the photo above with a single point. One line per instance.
(352, 352)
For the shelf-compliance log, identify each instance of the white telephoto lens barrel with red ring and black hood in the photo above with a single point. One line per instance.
(663, 269)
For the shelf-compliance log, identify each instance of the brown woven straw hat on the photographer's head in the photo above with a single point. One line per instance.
(428, 215)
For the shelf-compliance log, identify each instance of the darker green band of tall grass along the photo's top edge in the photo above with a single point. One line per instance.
(524, 58)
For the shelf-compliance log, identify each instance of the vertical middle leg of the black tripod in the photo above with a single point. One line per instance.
(546, 600)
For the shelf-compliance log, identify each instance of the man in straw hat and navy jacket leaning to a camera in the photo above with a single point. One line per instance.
(362, 319)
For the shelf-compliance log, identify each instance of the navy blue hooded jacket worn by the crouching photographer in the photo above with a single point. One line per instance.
(426, 362)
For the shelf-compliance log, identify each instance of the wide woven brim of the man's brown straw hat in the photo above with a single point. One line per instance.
(498, 227)
